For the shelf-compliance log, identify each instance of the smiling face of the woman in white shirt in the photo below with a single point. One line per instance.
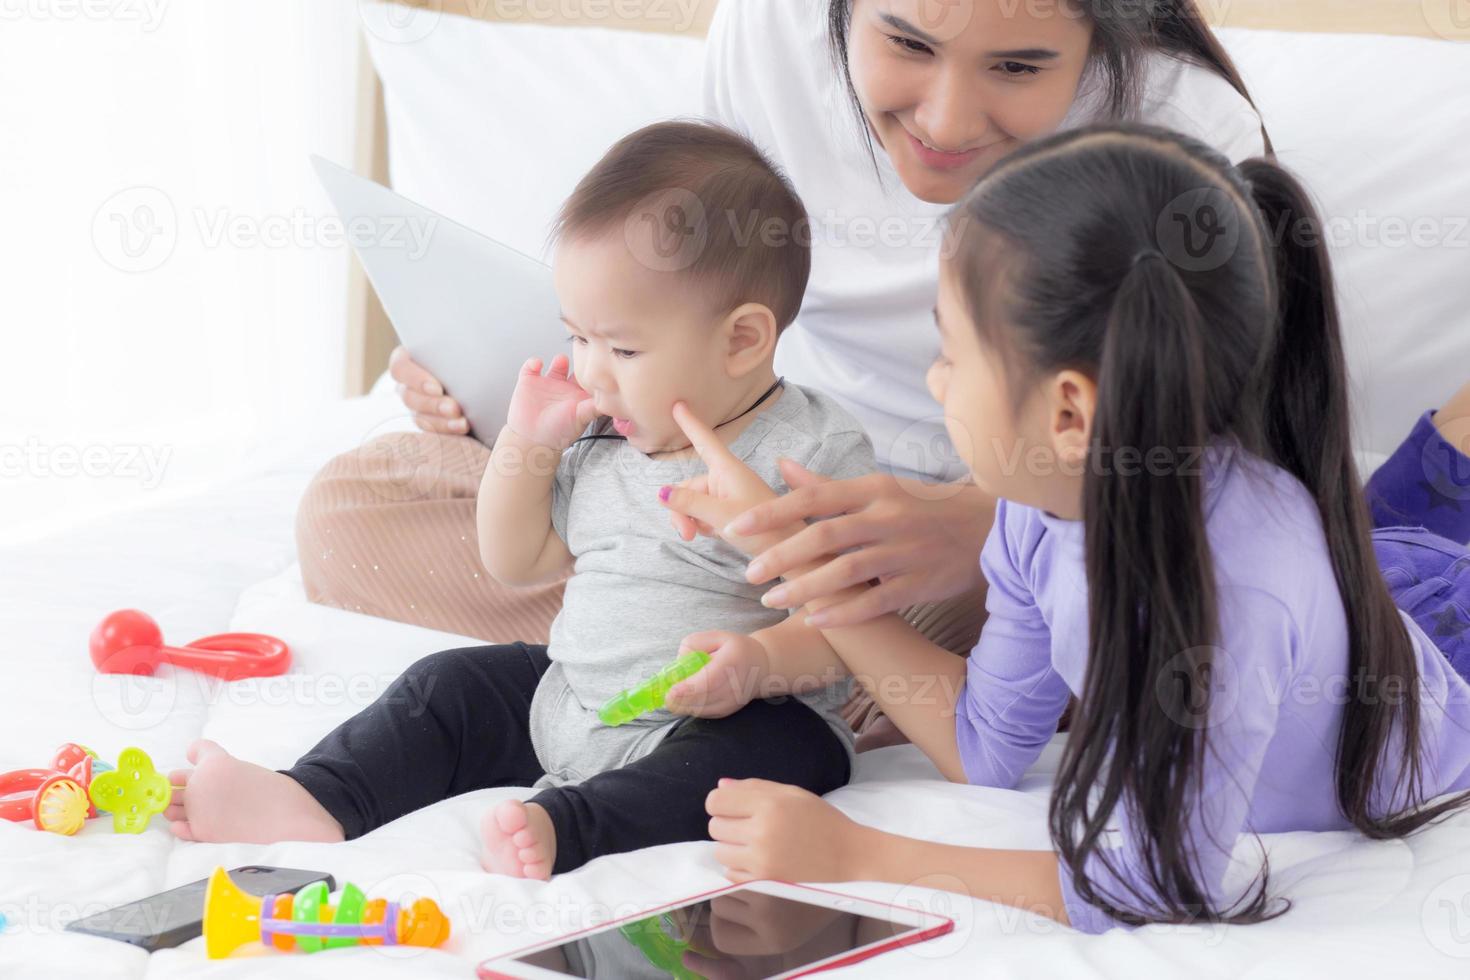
(950, 87)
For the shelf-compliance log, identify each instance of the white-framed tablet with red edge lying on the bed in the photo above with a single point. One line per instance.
(759, 929)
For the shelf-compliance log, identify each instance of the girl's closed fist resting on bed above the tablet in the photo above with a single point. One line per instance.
(771, 831)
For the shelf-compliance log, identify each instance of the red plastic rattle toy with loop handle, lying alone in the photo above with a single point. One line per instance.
(130, 643)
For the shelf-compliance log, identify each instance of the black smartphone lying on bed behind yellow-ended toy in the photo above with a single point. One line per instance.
(177, 916)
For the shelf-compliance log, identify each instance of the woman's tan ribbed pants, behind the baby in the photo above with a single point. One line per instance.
(389, 530)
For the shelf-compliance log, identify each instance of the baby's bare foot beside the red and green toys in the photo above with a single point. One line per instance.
(230, 800)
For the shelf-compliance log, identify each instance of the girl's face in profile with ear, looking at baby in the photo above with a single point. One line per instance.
(1033, 453)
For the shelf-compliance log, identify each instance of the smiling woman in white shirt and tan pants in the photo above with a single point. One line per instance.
(884, 114)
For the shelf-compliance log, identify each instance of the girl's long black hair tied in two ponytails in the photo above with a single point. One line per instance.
(1200, 298)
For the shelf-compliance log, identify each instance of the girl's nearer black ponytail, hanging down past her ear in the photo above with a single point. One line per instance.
(1146, 537)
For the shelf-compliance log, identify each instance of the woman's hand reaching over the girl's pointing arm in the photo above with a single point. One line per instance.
(921, 543)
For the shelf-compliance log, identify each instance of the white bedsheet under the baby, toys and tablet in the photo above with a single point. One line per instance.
(224, 561)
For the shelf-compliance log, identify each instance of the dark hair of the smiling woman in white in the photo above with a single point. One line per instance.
(1124, 33)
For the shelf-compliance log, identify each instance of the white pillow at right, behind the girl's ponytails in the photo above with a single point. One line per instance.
(1378, 129)
